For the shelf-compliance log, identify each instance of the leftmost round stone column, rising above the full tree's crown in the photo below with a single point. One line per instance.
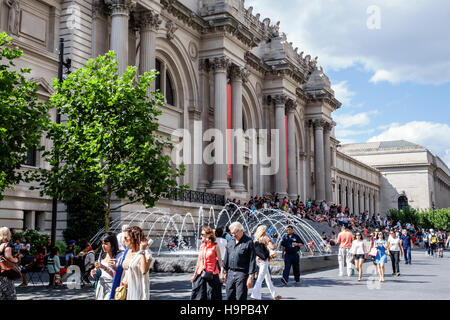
(120, 13)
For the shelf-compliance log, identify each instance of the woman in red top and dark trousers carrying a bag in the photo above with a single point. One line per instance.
(206, 283)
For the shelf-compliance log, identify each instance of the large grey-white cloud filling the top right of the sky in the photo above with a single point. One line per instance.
(409, 46)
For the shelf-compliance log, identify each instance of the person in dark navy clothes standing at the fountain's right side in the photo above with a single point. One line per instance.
(291, 244)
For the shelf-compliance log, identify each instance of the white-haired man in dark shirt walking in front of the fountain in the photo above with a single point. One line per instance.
(239, 265)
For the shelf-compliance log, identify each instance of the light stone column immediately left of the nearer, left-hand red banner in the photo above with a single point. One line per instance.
(220, 66)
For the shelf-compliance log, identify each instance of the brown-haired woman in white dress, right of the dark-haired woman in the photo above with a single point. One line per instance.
(136, 264)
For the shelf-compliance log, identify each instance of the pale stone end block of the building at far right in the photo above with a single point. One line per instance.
(409, 172)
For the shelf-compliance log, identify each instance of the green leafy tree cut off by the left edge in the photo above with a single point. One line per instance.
(22, 117)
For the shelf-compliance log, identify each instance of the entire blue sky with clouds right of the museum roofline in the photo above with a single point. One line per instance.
(388, 62)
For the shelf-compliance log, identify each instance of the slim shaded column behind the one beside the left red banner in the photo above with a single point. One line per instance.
(204, 69)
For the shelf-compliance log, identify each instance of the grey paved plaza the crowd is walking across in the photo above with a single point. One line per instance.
(426, 279)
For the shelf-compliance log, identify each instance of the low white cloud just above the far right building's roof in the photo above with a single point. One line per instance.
(433, 136)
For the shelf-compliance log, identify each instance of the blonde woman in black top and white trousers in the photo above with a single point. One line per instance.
(262, 245)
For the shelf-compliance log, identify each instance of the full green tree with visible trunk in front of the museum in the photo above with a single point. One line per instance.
(109, 138)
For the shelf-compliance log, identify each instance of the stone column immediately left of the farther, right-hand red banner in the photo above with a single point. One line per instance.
(280, 176)
